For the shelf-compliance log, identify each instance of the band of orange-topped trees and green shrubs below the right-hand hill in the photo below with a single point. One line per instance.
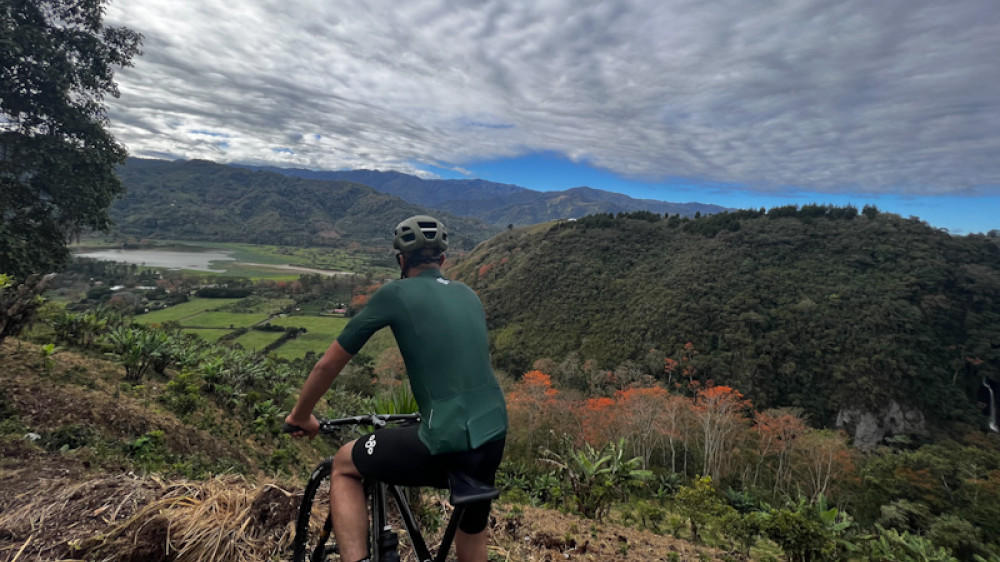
(777, 473)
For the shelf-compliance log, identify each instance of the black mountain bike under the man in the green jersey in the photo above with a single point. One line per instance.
(313, 528)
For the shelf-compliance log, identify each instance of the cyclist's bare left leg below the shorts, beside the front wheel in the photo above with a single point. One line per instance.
(347, 507)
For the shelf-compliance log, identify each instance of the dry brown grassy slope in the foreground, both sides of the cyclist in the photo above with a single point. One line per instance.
(80, 490)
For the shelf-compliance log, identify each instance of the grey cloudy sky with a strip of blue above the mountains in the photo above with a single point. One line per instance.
(743, 103)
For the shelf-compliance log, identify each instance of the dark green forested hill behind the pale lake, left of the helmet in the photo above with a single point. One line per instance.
(200, 200)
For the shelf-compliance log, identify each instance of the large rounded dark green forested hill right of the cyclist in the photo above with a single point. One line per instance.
(817, 307)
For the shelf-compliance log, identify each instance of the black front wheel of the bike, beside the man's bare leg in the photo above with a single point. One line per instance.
(313, 528)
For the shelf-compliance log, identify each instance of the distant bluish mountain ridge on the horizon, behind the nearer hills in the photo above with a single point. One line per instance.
(502, 204)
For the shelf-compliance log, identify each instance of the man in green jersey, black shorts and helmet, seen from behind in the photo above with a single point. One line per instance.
(440, 327)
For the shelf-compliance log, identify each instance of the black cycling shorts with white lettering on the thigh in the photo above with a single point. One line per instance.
(396, 455)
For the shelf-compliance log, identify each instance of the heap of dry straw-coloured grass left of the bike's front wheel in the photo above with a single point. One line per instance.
(126, 519)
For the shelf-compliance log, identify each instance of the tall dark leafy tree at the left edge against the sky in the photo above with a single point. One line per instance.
(57, 158)
